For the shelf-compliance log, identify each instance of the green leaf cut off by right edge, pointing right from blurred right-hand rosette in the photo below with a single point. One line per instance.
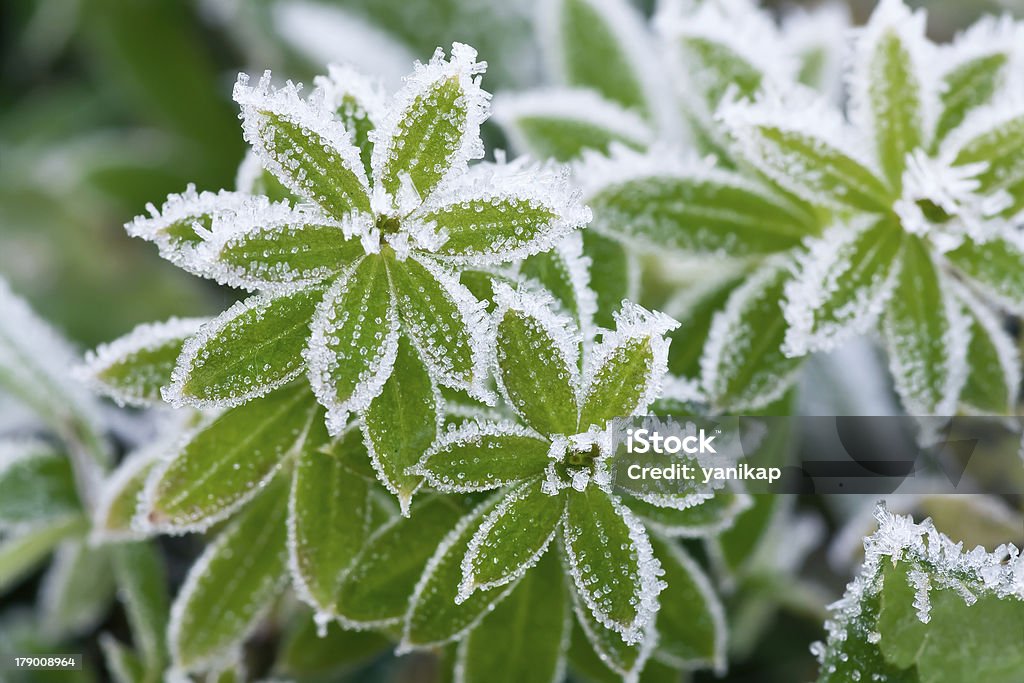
(997, 267)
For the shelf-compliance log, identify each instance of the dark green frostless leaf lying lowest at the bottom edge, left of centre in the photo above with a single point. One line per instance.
(305, 654)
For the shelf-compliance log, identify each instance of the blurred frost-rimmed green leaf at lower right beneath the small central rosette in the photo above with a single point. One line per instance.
(692, 621)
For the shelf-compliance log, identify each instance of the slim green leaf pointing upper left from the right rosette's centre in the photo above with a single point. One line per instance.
(810, 167)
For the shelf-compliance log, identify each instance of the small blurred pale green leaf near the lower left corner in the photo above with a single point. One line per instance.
(77, 590)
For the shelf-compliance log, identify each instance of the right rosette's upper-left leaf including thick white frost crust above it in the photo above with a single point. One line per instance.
(814, 155)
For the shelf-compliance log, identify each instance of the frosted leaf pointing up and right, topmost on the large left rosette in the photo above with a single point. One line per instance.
(434, 126)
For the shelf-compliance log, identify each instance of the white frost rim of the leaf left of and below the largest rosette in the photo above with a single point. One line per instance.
(143, 338)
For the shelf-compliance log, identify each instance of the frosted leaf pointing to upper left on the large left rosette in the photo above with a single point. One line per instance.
(305, 145)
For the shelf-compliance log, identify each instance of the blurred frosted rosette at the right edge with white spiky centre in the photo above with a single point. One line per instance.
(924, 196)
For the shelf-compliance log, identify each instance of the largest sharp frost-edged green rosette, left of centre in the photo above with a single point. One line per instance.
(365, 259)
